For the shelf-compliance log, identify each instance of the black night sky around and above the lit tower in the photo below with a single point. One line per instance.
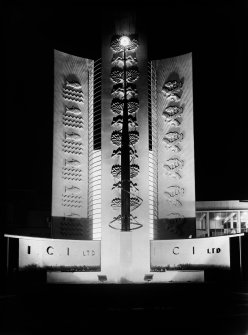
(215, 33)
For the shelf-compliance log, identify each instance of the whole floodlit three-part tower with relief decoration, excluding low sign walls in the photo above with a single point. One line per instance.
(123, 163)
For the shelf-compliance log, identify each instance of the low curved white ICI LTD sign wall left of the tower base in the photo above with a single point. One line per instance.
(59, 255)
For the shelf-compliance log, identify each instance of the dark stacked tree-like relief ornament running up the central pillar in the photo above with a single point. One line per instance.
(118, 76)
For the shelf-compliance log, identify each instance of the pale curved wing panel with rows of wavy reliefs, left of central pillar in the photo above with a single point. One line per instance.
(70, 161)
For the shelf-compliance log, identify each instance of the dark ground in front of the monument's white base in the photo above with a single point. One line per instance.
(130, 309)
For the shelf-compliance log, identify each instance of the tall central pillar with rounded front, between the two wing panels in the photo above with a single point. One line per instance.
(125, 229)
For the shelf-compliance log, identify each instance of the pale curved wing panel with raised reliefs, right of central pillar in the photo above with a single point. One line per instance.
(176, 186)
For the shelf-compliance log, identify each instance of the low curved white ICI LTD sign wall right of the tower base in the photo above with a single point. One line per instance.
(190, 254)
